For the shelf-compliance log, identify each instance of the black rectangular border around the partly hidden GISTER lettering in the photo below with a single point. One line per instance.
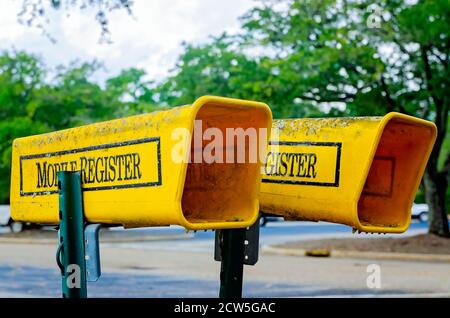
(338, 146)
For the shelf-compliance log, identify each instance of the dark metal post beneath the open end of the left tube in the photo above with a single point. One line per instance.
(232, 266)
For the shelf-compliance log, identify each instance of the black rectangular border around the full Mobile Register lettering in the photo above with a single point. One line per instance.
(93, 148)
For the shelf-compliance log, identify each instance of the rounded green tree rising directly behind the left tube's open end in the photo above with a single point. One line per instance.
(223, 68)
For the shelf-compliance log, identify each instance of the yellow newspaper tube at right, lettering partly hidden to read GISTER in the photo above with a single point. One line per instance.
(362, 172)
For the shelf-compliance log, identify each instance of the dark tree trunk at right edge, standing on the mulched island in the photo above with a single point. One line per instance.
(435, 191)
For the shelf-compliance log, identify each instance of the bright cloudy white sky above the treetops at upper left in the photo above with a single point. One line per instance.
(150, 39)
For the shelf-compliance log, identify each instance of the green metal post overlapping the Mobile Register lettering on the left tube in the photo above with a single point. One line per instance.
(70, 256)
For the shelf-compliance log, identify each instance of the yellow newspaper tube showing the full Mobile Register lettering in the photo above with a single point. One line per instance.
(129, 175)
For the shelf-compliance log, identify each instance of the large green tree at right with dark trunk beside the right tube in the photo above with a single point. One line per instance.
(374, 58)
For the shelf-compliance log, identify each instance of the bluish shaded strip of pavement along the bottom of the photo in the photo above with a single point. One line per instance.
(27, 282)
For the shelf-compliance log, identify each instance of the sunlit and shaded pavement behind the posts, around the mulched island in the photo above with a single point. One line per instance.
(185, 268)
